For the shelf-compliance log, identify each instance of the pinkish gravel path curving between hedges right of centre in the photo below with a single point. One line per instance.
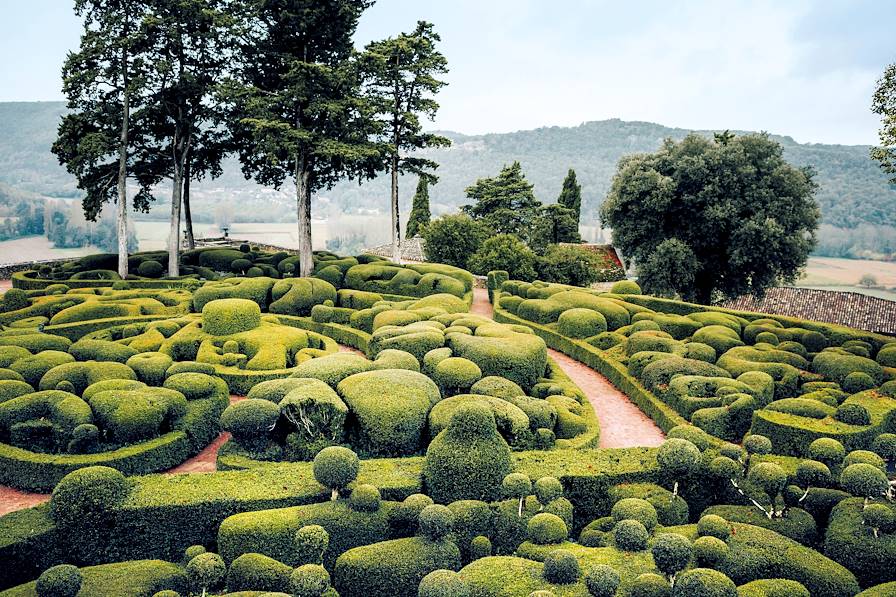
(622, 424)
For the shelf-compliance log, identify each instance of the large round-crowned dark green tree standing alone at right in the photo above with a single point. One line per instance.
(713, 218)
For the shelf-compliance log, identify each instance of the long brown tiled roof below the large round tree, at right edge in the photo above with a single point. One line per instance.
(851, 309)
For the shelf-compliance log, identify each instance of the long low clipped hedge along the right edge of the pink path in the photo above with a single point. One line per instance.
(662, 414)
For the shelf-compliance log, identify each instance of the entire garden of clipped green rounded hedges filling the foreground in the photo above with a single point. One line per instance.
(447, 455)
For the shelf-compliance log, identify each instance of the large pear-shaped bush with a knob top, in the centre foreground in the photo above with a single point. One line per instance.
(468, 459)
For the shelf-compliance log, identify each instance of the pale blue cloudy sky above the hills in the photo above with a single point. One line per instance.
(801, 68)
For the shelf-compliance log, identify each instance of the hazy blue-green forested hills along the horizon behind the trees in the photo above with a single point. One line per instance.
(853, 190)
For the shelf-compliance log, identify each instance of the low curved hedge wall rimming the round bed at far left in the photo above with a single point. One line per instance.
(35, 471)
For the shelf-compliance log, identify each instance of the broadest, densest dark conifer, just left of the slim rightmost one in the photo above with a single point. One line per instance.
(296, 103)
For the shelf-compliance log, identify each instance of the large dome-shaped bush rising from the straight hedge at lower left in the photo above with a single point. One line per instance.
(87, 495)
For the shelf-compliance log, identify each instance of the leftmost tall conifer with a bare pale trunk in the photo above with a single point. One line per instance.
(102, 139)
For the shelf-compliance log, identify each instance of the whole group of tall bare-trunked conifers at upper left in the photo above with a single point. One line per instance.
(163, 90)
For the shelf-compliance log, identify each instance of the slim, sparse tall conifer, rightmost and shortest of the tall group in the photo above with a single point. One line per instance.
(401, 77)
